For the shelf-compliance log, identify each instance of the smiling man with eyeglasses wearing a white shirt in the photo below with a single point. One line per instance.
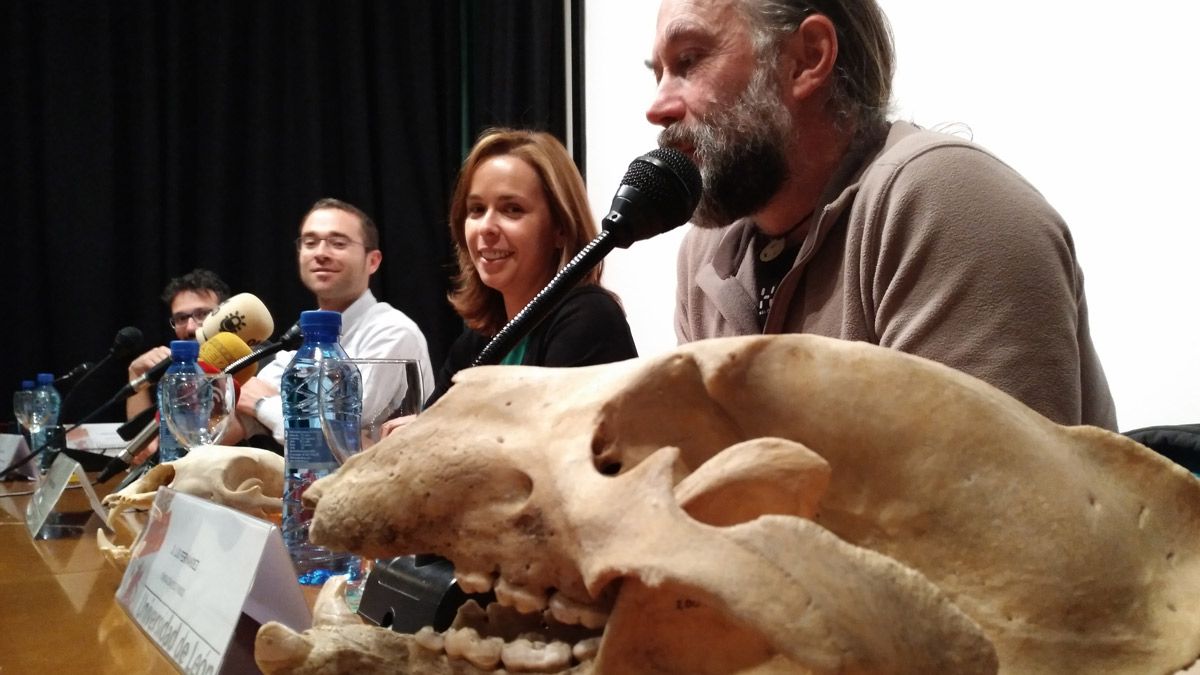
(338, 252)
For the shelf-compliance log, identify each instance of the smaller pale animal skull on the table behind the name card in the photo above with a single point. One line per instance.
(249, 480)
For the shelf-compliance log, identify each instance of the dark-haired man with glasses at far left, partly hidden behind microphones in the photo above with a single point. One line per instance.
(191, 298)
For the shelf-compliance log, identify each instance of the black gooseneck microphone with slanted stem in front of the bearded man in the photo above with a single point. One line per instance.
(659, 193)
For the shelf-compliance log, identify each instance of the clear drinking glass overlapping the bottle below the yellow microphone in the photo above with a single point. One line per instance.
(197, 407)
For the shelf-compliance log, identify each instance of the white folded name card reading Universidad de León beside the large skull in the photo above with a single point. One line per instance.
(196, 569)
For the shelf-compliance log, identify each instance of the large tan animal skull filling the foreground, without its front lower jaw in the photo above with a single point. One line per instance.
(1073, 549)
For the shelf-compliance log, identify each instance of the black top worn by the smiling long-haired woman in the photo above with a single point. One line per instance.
(589, 328)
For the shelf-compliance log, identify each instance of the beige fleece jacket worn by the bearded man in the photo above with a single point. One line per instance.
(932, 247)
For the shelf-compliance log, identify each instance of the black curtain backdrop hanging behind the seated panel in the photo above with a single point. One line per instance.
(143, 139)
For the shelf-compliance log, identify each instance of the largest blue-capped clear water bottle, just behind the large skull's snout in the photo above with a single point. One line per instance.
(322, 401)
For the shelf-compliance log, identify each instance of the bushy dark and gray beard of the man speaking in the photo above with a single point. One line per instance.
(742, 151)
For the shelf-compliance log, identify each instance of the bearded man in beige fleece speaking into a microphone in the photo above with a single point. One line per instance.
(823, 217)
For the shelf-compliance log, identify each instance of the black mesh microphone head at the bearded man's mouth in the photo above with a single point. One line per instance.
(659, 193)
